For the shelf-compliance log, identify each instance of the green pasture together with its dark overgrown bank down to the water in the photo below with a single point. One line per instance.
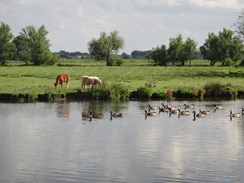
(36, 83)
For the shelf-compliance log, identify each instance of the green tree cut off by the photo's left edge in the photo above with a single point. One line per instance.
(6, 45)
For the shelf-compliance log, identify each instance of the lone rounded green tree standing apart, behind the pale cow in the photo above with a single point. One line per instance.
(106, 47)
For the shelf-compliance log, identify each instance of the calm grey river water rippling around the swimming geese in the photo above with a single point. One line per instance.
(52, 143)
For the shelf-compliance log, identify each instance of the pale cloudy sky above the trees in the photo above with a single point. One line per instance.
(143, 24)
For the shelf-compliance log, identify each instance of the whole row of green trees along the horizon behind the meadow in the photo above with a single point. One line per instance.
(32, 46)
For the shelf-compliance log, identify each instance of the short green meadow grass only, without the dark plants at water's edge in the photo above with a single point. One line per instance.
(21, 79)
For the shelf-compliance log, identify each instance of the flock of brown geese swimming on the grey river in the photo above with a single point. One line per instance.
(166, 108)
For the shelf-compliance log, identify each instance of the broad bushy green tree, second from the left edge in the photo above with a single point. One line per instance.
(32, 44)
